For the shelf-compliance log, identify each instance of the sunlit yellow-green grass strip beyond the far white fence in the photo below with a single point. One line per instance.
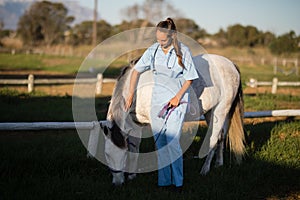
(71, 64)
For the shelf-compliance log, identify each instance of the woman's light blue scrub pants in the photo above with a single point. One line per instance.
(167, 140)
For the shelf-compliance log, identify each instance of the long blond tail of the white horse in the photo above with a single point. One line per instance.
(236, 134)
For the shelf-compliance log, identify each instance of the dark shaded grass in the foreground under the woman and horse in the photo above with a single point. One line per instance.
(53, 165)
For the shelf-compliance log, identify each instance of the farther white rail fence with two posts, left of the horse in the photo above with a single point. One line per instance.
(31, 82)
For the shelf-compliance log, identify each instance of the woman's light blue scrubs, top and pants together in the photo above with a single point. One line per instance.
(169, 77)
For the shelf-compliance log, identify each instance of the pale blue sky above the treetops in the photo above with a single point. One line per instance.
(276, 16)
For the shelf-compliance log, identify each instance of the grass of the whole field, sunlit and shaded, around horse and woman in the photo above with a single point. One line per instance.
(53, 164)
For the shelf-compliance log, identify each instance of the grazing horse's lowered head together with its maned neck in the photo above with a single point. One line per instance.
(115, 142)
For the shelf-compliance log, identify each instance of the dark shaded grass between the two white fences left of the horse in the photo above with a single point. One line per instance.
(22, 107)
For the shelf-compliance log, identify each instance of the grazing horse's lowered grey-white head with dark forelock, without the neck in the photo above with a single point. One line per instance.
(115, 151)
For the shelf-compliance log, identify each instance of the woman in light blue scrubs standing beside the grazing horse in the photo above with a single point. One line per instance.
(173, 72)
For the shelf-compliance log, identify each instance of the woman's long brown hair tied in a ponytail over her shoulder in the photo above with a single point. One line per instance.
(168, 26)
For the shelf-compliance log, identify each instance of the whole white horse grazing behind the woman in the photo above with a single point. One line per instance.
(219, 94)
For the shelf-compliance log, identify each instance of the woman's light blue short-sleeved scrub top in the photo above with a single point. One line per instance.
(169, 76)
